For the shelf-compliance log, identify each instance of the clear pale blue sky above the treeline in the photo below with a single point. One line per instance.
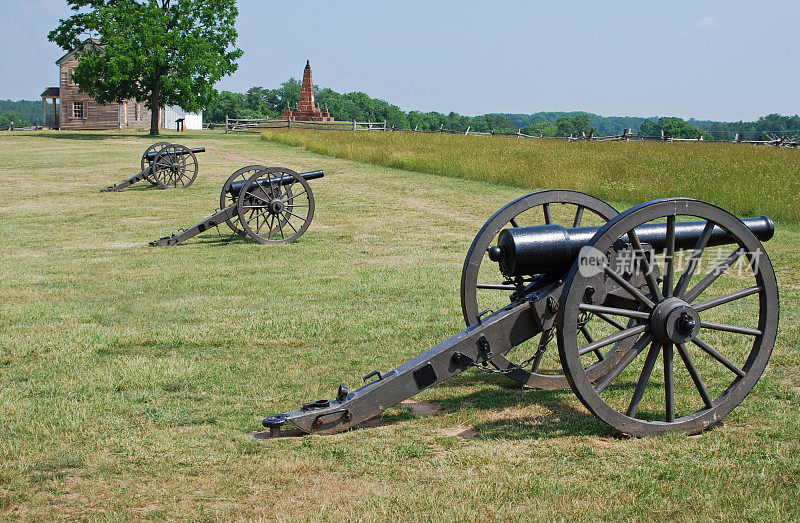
(710, 60)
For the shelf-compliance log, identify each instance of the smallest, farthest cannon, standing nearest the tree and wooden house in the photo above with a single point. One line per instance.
(165, 165)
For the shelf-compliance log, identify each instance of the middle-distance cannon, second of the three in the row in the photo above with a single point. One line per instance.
(267, 204)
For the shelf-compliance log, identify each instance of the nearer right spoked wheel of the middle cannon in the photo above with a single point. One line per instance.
(271, 212)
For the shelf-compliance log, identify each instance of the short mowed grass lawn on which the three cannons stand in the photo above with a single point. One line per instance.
(131, 377)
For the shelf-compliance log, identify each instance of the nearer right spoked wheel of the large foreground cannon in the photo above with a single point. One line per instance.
(721, 323)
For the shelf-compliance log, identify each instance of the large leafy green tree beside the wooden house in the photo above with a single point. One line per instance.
(159, 52)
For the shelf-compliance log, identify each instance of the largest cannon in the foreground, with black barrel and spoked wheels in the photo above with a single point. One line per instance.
(664, 315)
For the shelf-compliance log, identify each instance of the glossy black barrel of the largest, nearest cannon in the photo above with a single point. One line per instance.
(523, 251)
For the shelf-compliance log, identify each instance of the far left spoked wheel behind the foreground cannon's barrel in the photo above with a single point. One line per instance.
(476, 296)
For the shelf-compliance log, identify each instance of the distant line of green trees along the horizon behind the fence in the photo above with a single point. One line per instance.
(260, 102)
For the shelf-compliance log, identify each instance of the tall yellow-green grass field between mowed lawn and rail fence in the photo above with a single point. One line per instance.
(744, 179)
